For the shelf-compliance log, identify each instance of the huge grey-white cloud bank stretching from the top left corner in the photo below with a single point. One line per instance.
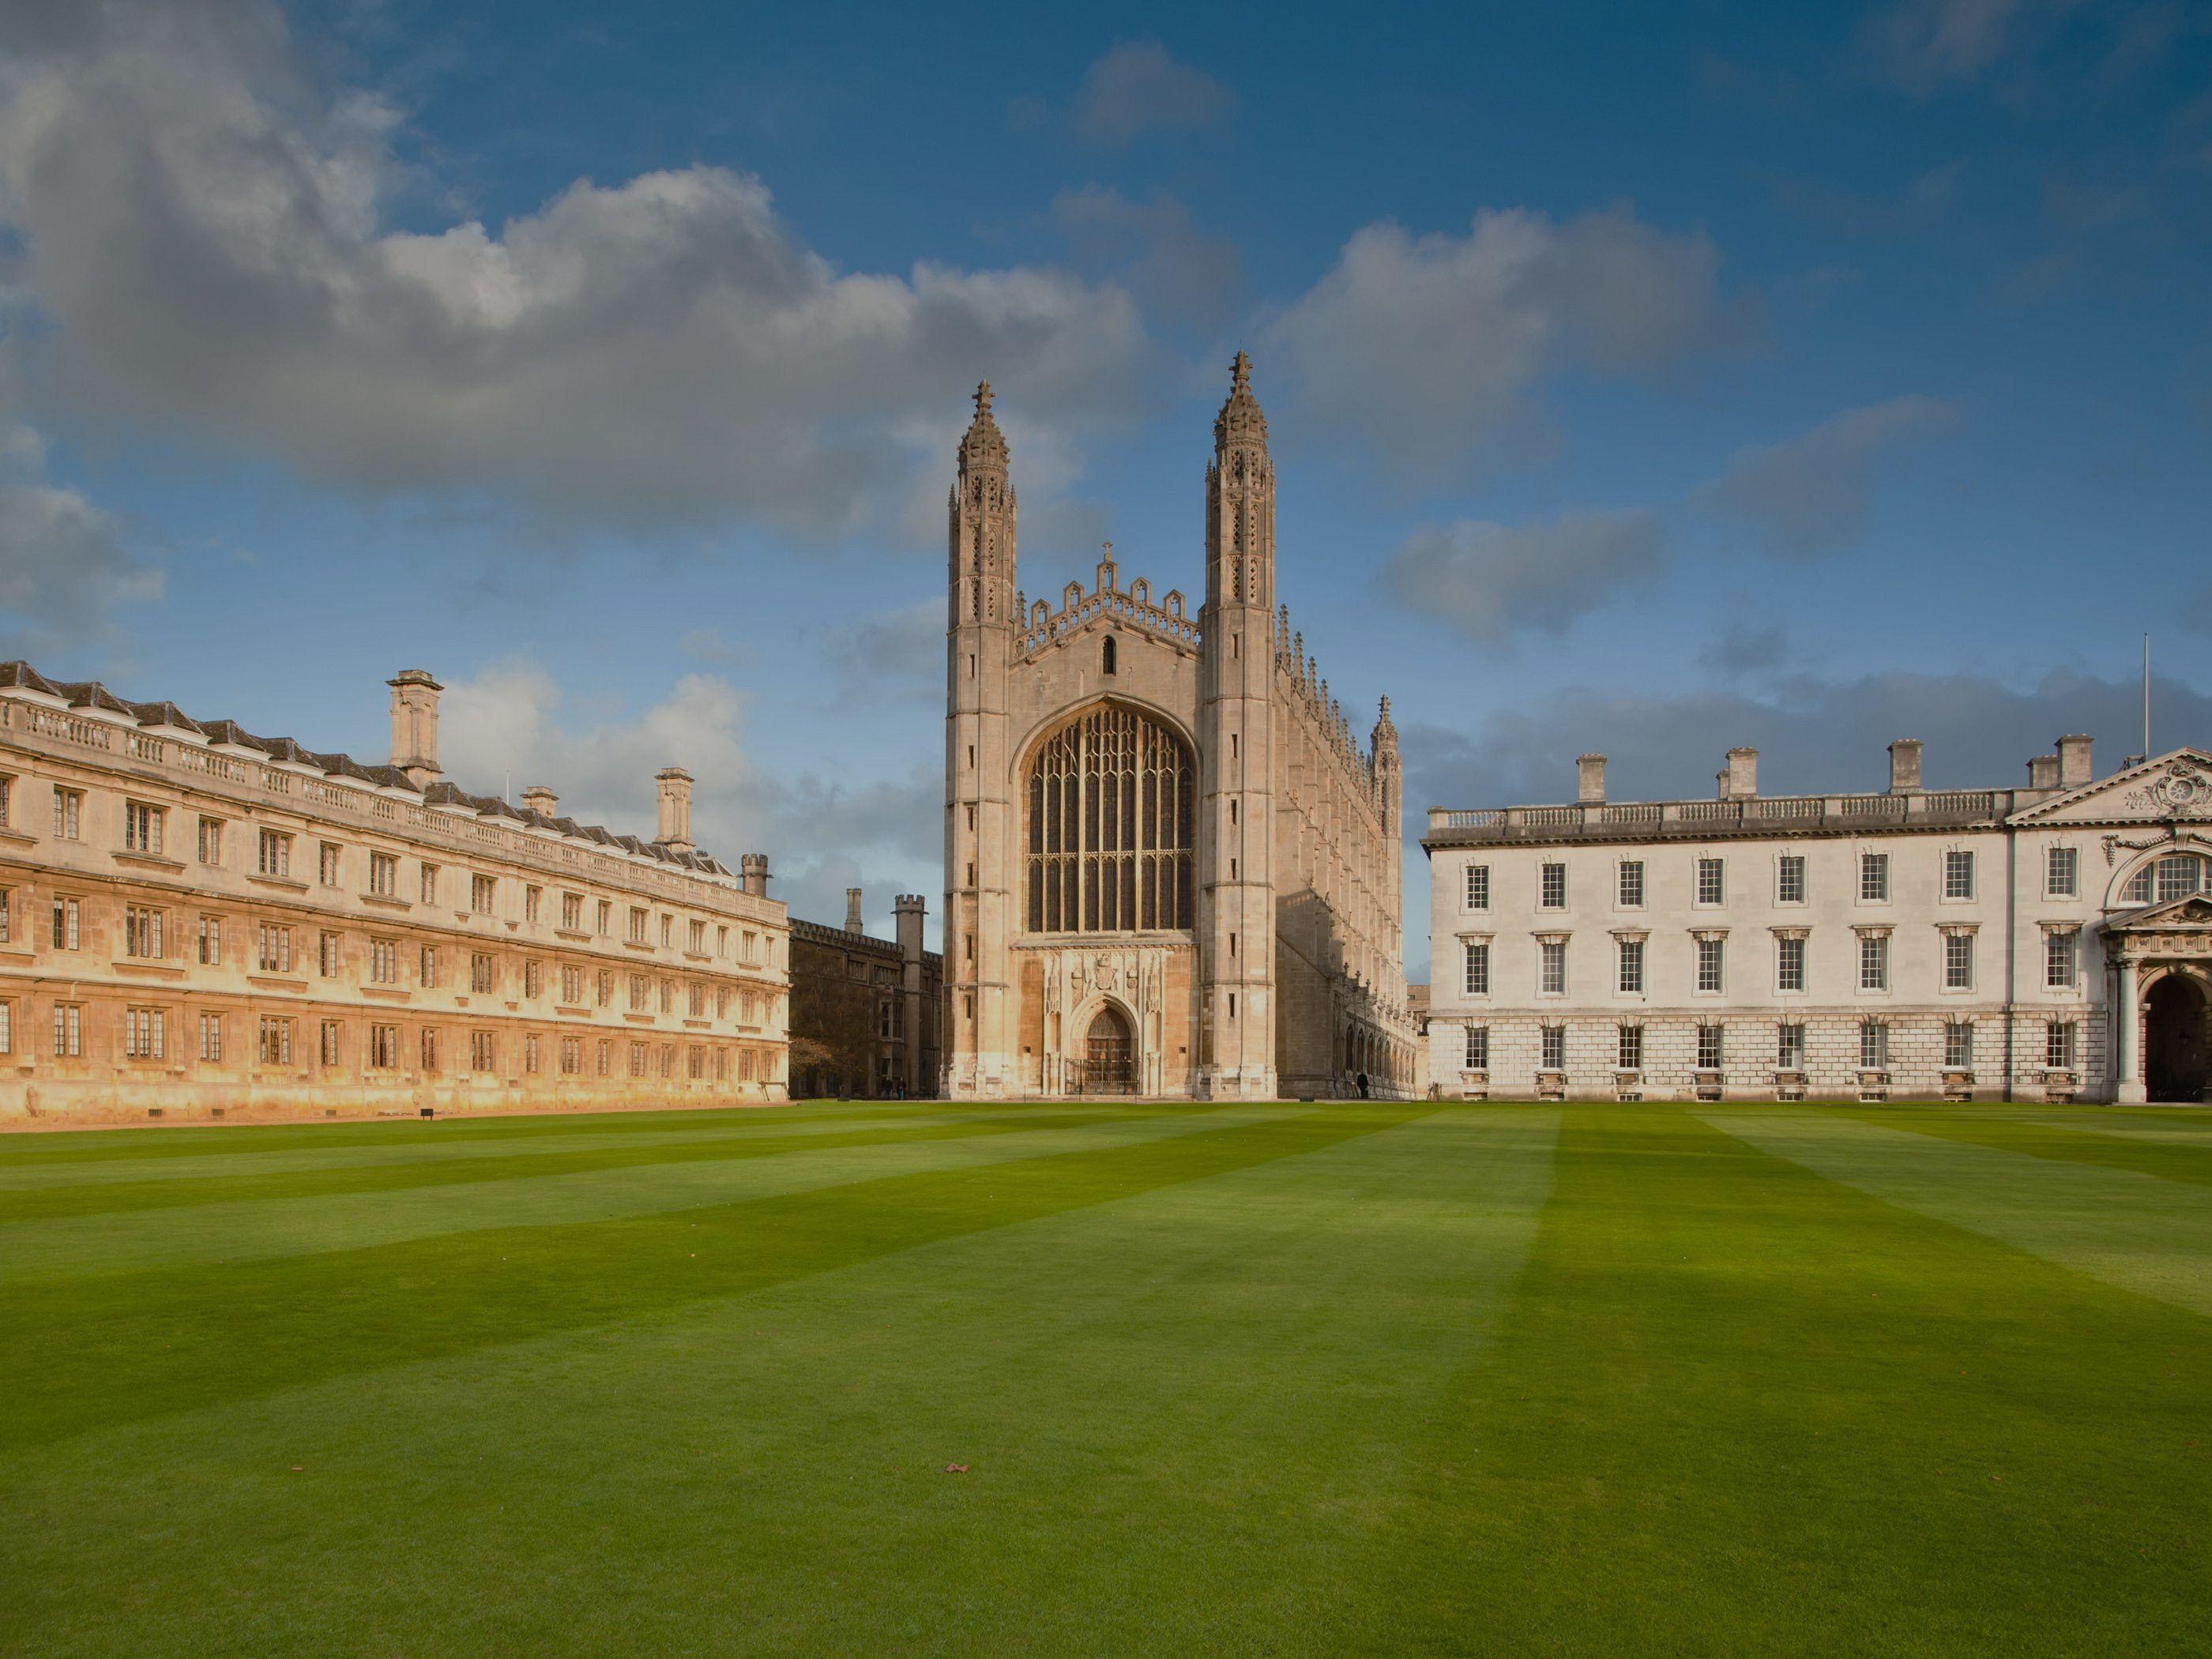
(211, 236)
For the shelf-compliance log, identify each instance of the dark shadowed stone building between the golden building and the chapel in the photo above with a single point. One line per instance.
(866, 1012)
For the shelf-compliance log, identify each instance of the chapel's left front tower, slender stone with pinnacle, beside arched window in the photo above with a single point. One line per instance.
(979, 808)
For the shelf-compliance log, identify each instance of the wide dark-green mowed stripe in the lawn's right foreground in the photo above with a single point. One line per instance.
(1738, 1408)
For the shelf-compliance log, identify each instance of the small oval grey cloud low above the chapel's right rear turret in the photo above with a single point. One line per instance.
(1494, 581)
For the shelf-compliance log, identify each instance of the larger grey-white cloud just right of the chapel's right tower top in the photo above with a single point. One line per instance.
(1428, 346)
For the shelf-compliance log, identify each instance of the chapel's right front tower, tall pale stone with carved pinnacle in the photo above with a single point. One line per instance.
(1238, 758)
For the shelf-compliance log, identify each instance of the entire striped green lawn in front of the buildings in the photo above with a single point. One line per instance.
(1246, 1381)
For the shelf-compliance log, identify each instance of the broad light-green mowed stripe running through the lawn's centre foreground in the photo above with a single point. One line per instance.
(1187, 1412)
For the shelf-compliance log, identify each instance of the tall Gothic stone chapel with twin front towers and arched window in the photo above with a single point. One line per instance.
(1169, 866)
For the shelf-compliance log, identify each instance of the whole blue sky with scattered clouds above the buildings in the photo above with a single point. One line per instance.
(1645, 379)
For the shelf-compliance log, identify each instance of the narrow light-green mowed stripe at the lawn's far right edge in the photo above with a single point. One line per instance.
(2136, 1231)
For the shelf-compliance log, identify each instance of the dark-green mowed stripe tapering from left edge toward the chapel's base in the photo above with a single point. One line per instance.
(189, 1337)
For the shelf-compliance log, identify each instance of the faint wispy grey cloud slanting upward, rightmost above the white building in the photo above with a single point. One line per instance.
(1811, 494)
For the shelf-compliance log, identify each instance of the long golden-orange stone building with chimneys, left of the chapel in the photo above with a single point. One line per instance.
(207, 924)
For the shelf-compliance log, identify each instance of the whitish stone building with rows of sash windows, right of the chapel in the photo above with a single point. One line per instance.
(2043, 943)
